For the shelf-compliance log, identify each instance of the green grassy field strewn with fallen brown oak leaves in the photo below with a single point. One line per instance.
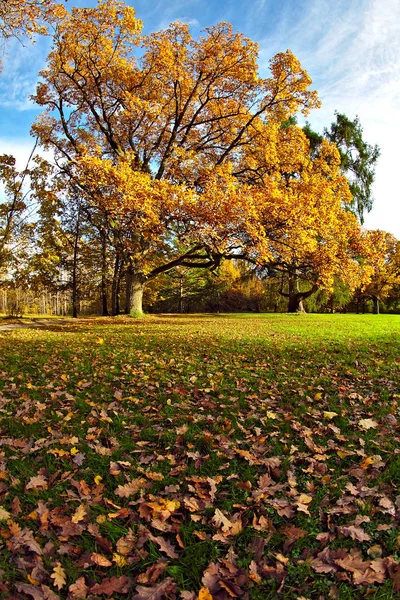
(201, 457)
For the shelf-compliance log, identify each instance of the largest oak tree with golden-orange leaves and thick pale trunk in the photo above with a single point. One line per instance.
(149, 126)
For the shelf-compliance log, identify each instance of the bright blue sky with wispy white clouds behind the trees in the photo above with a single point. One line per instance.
(351, 49)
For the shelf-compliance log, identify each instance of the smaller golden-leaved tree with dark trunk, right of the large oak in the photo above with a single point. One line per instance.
(312, 238)
